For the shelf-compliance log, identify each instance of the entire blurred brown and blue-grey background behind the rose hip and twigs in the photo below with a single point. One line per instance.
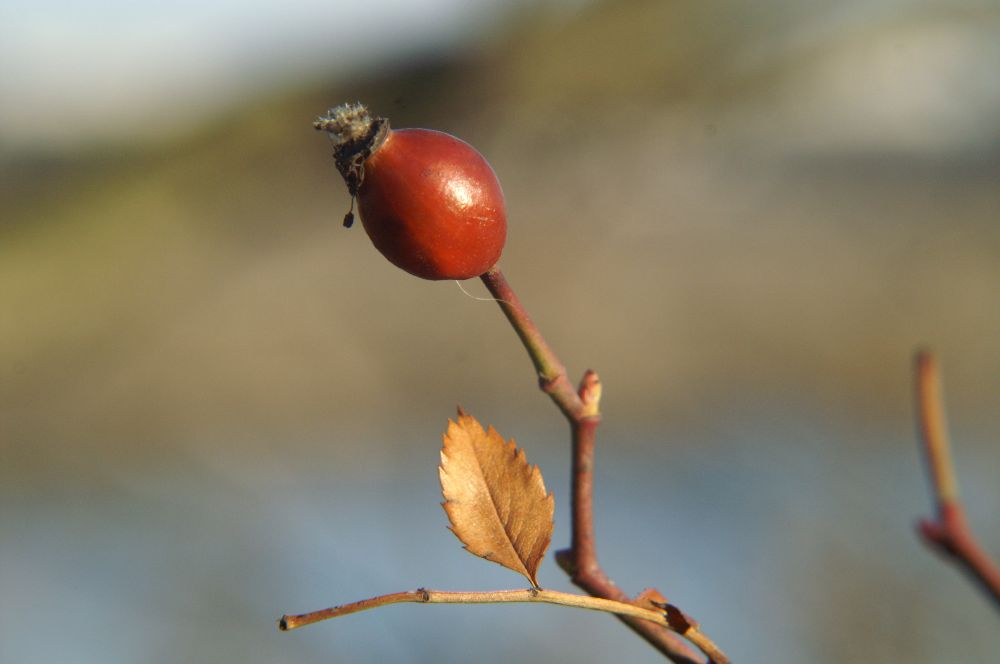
(217, 405)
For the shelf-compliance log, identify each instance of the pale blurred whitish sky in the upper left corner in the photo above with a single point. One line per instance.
(78, 71)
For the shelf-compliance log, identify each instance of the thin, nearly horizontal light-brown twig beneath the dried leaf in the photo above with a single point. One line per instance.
(531, 595)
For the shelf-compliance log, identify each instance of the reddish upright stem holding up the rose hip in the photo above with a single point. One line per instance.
(581, 409)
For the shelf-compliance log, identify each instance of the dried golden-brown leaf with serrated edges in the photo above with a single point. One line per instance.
(495, 500)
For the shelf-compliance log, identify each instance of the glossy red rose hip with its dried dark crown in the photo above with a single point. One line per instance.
(429, 202)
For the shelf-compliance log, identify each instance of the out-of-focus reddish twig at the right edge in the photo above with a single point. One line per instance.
(949, 531)
